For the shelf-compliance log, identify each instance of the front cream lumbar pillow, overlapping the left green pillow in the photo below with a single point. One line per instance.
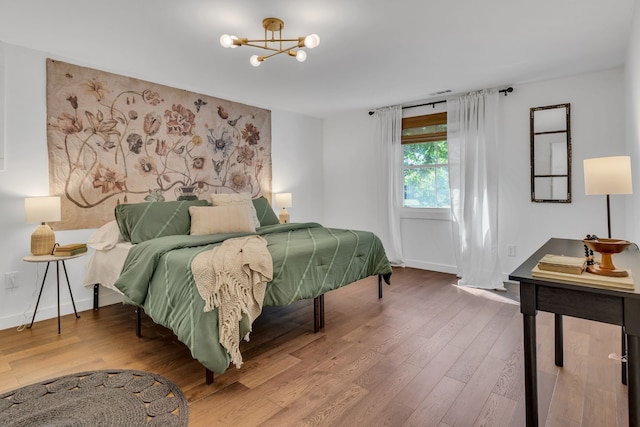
(221, 220)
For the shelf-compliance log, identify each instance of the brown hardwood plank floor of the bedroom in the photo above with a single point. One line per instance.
(427, 354)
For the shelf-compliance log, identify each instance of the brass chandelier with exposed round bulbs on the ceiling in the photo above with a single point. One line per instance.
(273, 43)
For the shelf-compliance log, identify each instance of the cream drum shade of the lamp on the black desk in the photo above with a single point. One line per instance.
(608, 175)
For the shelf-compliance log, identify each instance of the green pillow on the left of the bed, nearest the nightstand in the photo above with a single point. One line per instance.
(144, 221)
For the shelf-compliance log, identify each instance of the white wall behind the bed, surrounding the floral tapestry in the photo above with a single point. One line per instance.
(297, 167)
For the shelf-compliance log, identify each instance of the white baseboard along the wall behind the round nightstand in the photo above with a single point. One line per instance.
(107, 297)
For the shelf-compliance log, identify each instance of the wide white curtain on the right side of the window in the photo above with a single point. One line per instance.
(472, 138)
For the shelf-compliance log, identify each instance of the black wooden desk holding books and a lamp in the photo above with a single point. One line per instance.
(608, 305)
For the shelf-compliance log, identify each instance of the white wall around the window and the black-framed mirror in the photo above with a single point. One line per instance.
(597, 108)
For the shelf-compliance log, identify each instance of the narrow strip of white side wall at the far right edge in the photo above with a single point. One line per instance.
(632, 69)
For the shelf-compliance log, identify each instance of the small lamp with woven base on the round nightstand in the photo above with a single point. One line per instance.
(42, 210)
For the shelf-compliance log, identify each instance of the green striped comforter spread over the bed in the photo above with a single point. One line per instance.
(308, 260)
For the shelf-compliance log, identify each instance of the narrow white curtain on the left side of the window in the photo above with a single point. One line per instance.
(388, 134)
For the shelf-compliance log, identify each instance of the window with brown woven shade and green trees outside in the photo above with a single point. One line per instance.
(426, 161)
